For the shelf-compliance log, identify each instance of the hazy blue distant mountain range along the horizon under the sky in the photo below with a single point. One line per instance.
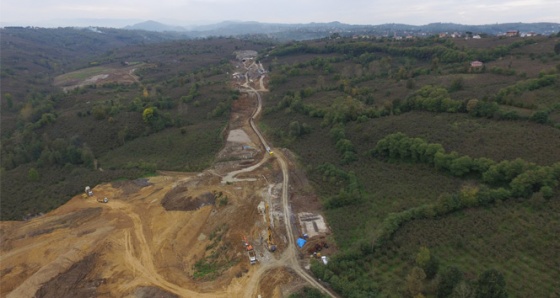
(318, 30)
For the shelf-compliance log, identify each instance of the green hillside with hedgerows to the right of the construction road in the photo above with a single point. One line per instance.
(397, 137)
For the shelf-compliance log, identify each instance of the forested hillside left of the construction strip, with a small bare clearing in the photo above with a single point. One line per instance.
(55, 142)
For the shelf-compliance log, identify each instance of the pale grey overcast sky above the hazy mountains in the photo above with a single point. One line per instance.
(183, 12)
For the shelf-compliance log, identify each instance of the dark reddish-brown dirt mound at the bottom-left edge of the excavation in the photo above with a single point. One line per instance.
(75, 282)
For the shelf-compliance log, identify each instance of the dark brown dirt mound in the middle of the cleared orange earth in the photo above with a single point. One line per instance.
(178, 200)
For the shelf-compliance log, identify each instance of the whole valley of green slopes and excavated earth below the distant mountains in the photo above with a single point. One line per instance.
(415, 167)
